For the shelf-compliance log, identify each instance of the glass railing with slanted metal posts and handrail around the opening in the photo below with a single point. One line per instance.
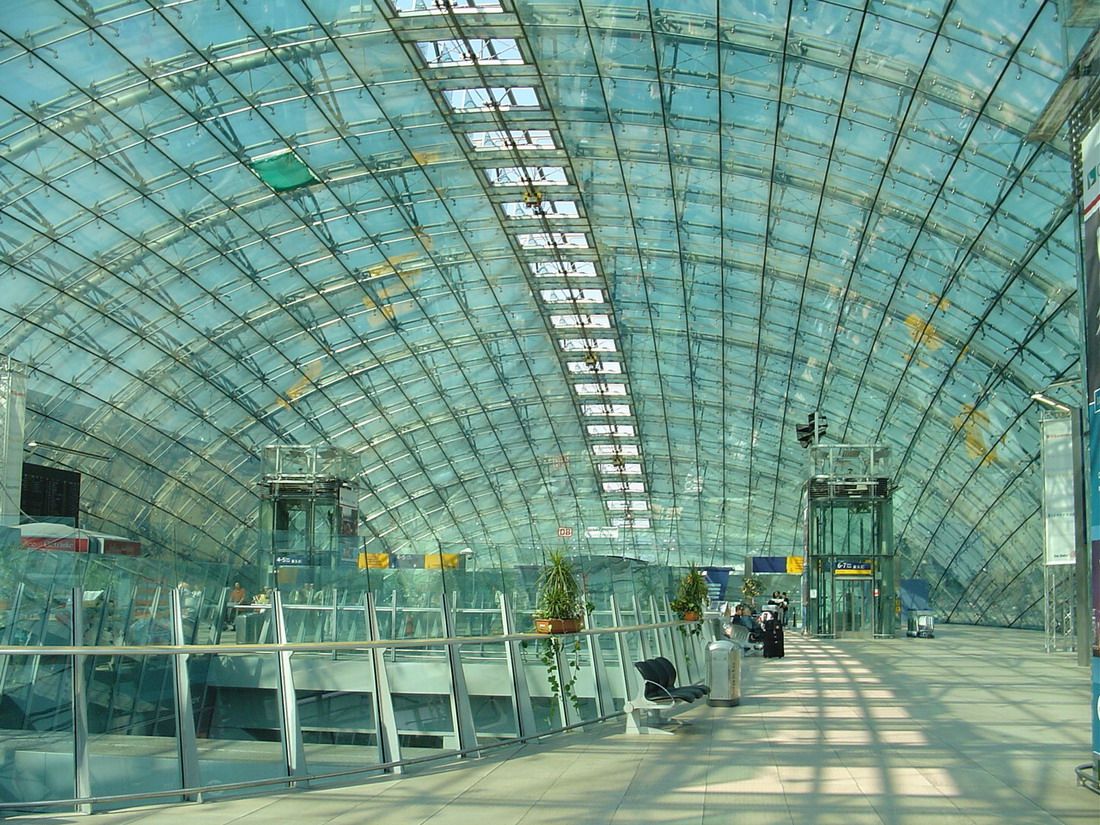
(105, 705)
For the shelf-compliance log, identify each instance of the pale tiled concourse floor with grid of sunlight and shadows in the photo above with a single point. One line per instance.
(975, 727)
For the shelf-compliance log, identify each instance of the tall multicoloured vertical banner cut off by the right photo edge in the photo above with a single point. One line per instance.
(1091, 240)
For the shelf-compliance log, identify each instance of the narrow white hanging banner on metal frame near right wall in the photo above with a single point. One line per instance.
(1060, 535)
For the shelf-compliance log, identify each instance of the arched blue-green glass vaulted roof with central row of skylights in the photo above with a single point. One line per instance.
(543, 265)
